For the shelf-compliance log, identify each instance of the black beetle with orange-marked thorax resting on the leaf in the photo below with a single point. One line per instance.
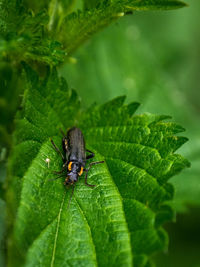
(74, 158)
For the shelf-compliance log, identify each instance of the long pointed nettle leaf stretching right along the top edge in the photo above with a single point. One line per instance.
(79, 26)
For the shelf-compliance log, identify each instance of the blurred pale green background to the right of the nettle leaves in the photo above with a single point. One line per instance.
(154, 58)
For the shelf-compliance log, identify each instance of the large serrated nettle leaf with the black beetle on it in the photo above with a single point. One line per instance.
(119, 222)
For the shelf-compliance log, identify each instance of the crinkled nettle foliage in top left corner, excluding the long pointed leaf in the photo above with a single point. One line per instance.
(24, 35)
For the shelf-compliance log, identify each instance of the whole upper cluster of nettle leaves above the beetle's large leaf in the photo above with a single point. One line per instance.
(45, 37)
